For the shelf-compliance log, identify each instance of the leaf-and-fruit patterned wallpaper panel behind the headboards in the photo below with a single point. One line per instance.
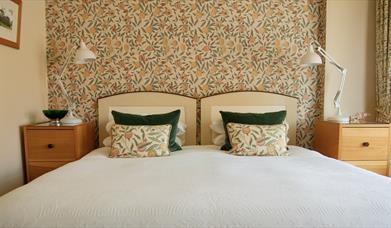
(194, 48)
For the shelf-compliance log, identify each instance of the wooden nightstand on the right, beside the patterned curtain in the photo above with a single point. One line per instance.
(363, 145)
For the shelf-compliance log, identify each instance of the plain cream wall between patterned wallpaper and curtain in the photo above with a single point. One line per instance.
(350, 39)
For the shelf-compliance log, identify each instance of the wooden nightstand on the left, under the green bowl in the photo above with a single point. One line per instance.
(49, 147)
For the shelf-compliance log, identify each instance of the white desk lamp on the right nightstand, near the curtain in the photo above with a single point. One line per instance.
(311, 58)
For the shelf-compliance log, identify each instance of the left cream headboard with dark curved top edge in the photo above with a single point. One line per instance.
(149, 103)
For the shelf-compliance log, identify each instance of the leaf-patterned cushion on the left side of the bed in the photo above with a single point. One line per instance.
(140, 140)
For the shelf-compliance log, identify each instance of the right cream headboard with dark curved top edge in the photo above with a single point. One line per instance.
(258, 102)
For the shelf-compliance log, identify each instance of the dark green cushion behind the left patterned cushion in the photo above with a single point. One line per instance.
(156, 119)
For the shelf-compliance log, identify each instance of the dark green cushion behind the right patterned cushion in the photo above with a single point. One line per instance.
(269, 118)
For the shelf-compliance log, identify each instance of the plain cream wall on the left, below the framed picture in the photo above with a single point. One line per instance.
(23, 92)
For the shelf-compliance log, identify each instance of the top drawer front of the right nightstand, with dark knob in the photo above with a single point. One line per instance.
(362, 144)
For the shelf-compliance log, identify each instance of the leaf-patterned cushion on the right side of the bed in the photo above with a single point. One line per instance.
(260, 140)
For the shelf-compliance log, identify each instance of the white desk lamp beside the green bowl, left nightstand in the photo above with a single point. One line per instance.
(83, 56)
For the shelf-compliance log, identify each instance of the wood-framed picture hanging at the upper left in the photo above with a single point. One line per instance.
(10, 18)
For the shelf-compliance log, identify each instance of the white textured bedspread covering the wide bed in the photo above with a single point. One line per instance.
(202, 187)
